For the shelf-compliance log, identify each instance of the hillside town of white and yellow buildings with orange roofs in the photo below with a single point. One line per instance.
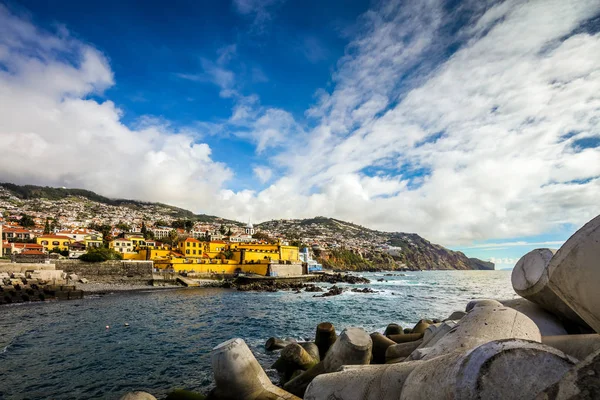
(55, 223)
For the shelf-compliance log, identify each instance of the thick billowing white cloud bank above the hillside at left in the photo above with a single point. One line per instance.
(53, 134)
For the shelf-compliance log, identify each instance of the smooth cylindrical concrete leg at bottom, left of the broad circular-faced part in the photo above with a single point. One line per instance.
(366, 382)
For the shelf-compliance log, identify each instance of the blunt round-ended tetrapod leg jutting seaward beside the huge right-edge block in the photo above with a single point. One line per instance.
(530, 279)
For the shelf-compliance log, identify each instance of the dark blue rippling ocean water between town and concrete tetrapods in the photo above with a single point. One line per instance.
(62, 350)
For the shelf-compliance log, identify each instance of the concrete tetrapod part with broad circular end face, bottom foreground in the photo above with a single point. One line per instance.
(501, 369)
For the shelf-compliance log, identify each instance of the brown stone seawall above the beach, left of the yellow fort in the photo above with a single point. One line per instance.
(134, 272)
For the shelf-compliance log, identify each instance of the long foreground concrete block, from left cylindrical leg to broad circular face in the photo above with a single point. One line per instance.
(495, 370)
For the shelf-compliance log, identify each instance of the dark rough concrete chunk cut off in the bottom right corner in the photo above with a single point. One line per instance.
(582, 382)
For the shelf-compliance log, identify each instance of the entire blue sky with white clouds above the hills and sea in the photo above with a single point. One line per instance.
(473, 123)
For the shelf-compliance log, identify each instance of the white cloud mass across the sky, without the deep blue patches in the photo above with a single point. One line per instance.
(494, 127)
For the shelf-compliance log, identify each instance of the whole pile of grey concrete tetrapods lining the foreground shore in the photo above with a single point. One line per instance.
(544, 345)
